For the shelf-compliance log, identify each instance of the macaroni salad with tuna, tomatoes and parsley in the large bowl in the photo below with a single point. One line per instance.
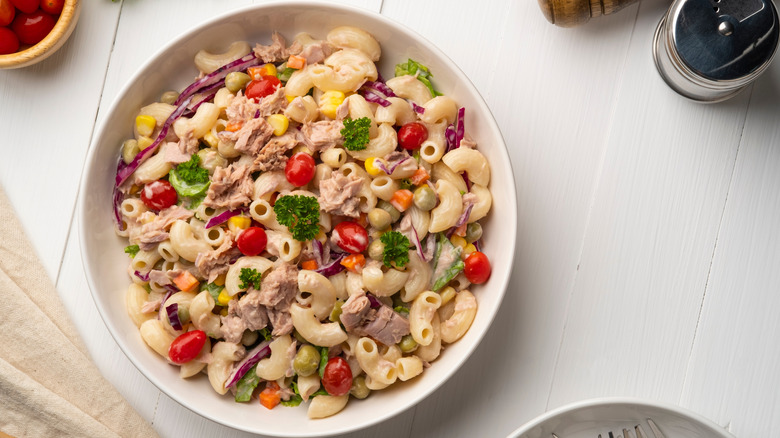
(300, 229)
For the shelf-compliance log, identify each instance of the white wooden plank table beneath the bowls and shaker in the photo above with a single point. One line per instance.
(648, 260)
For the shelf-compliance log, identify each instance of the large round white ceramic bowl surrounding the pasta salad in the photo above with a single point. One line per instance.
(105, 262)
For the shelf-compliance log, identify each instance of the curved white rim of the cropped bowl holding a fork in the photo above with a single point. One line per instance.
(622, 401)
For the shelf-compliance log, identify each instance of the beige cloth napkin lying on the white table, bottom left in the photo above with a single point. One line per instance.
(48, 385)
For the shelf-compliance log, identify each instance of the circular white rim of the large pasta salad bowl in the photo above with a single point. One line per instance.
(510, 191)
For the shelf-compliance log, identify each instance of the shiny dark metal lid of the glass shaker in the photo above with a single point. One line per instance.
(724, 40)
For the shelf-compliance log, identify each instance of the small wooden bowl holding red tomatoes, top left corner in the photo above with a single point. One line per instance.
(50, 43)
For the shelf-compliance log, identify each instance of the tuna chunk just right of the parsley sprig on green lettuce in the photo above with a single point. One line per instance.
(231, 187)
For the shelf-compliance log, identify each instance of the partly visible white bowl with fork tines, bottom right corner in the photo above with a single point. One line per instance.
(589, 418)
